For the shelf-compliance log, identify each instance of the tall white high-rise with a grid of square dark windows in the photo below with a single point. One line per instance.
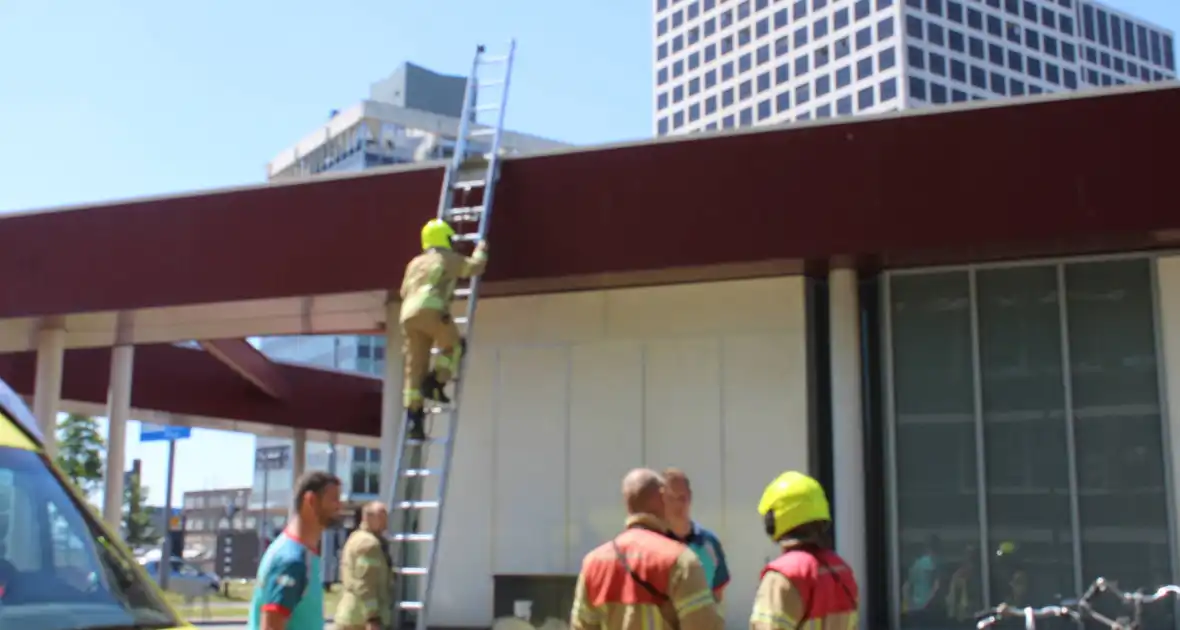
(723, 64)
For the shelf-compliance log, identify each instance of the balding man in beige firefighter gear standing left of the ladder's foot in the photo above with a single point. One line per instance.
(368, 577)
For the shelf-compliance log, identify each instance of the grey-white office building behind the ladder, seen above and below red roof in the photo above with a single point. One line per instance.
(411, 116)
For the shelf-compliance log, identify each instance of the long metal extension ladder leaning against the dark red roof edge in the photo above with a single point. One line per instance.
(469, 188)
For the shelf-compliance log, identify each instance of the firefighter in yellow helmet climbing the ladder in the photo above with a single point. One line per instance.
(427, 293)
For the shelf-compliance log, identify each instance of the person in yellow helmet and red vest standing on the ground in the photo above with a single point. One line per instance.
(809, 582)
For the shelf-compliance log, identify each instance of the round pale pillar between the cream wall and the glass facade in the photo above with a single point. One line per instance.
(848, 425)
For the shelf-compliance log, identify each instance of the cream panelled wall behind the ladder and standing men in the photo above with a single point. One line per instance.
(568, 392)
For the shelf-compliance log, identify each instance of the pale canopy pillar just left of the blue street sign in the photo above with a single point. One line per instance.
(119, 409)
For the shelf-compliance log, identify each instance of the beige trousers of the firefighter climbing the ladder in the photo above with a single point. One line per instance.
(419, 333)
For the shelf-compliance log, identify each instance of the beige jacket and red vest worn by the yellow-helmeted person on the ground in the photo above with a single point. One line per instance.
(807, 589)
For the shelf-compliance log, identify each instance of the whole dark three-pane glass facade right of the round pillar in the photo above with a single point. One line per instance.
(1026, 437)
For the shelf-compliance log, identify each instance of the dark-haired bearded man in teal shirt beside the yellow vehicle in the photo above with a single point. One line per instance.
(289, 594)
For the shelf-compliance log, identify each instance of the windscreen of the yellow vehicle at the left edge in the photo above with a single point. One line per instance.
(58, 570)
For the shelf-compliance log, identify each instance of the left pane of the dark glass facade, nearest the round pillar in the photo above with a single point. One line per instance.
(935, 437)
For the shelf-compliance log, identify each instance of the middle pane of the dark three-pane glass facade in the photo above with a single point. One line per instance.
(1024, 404)
